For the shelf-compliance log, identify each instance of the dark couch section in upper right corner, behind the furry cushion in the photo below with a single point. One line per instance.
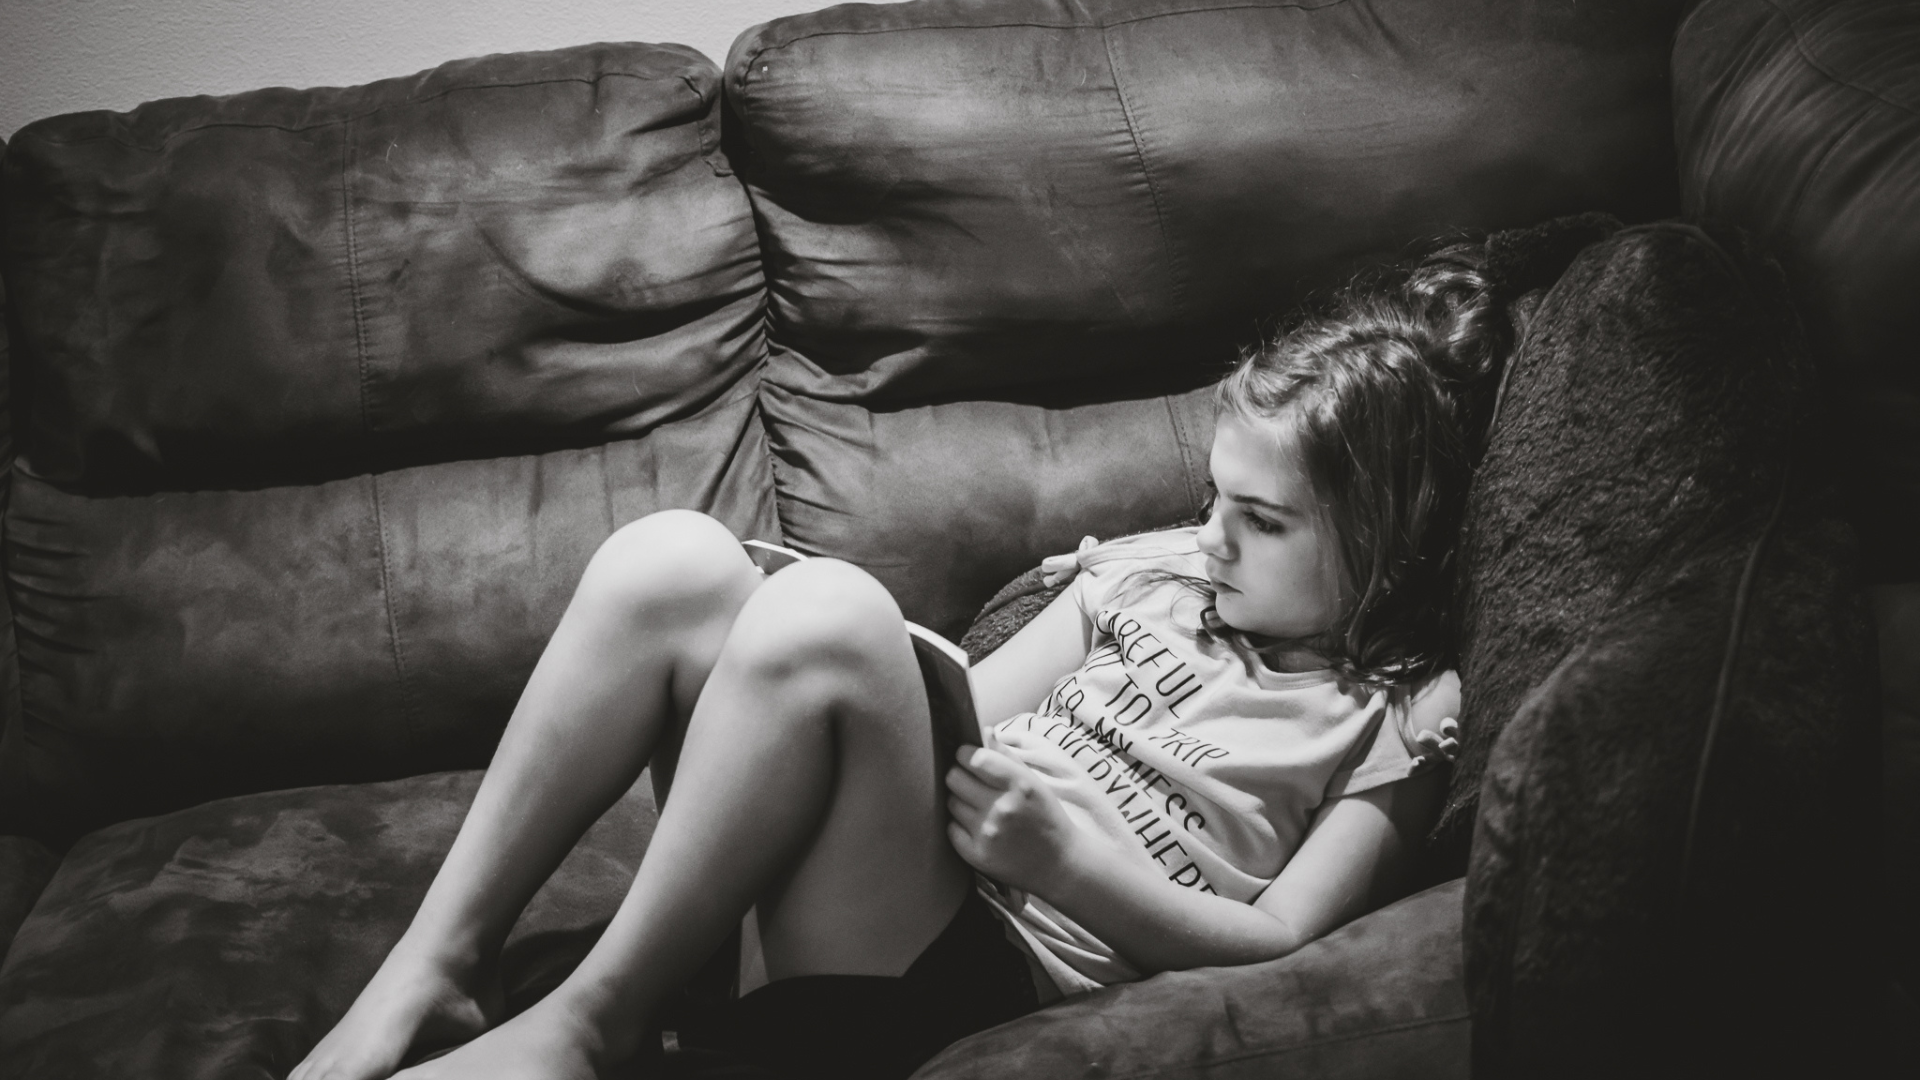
(1800, 122)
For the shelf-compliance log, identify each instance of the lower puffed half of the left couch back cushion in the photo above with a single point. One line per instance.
(201, 645)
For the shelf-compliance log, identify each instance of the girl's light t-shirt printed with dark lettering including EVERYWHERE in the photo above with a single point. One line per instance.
(1180, 752)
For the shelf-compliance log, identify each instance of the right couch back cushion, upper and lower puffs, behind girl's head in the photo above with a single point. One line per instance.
(1005, 237)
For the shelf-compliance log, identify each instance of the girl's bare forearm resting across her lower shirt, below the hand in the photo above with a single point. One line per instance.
(1159, 925)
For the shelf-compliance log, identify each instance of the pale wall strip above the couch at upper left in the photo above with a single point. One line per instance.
(112, 55)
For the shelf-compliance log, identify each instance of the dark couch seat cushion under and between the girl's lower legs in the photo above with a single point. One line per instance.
(222, 943)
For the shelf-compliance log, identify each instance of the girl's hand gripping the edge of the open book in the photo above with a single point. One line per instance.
(1005, 822)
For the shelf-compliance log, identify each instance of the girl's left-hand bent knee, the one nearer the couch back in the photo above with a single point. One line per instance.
(669, 562)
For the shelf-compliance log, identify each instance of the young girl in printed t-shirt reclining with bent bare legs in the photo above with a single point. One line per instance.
(1205, 752)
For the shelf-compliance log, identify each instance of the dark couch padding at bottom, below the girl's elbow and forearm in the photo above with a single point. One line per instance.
(1378, 1000)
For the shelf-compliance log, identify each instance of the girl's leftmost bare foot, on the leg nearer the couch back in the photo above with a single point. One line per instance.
(408, 1008)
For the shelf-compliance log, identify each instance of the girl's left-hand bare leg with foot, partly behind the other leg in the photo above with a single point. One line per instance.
(627, 664)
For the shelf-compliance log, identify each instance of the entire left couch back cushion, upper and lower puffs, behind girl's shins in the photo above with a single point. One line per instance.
(327, 399)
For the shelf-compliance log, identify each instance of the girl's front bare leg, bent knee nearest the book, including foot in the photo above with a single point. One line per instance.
(807, 785)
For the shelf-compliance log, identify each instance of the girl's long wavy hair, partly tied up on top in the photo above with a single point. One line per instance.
(1381, 401)
